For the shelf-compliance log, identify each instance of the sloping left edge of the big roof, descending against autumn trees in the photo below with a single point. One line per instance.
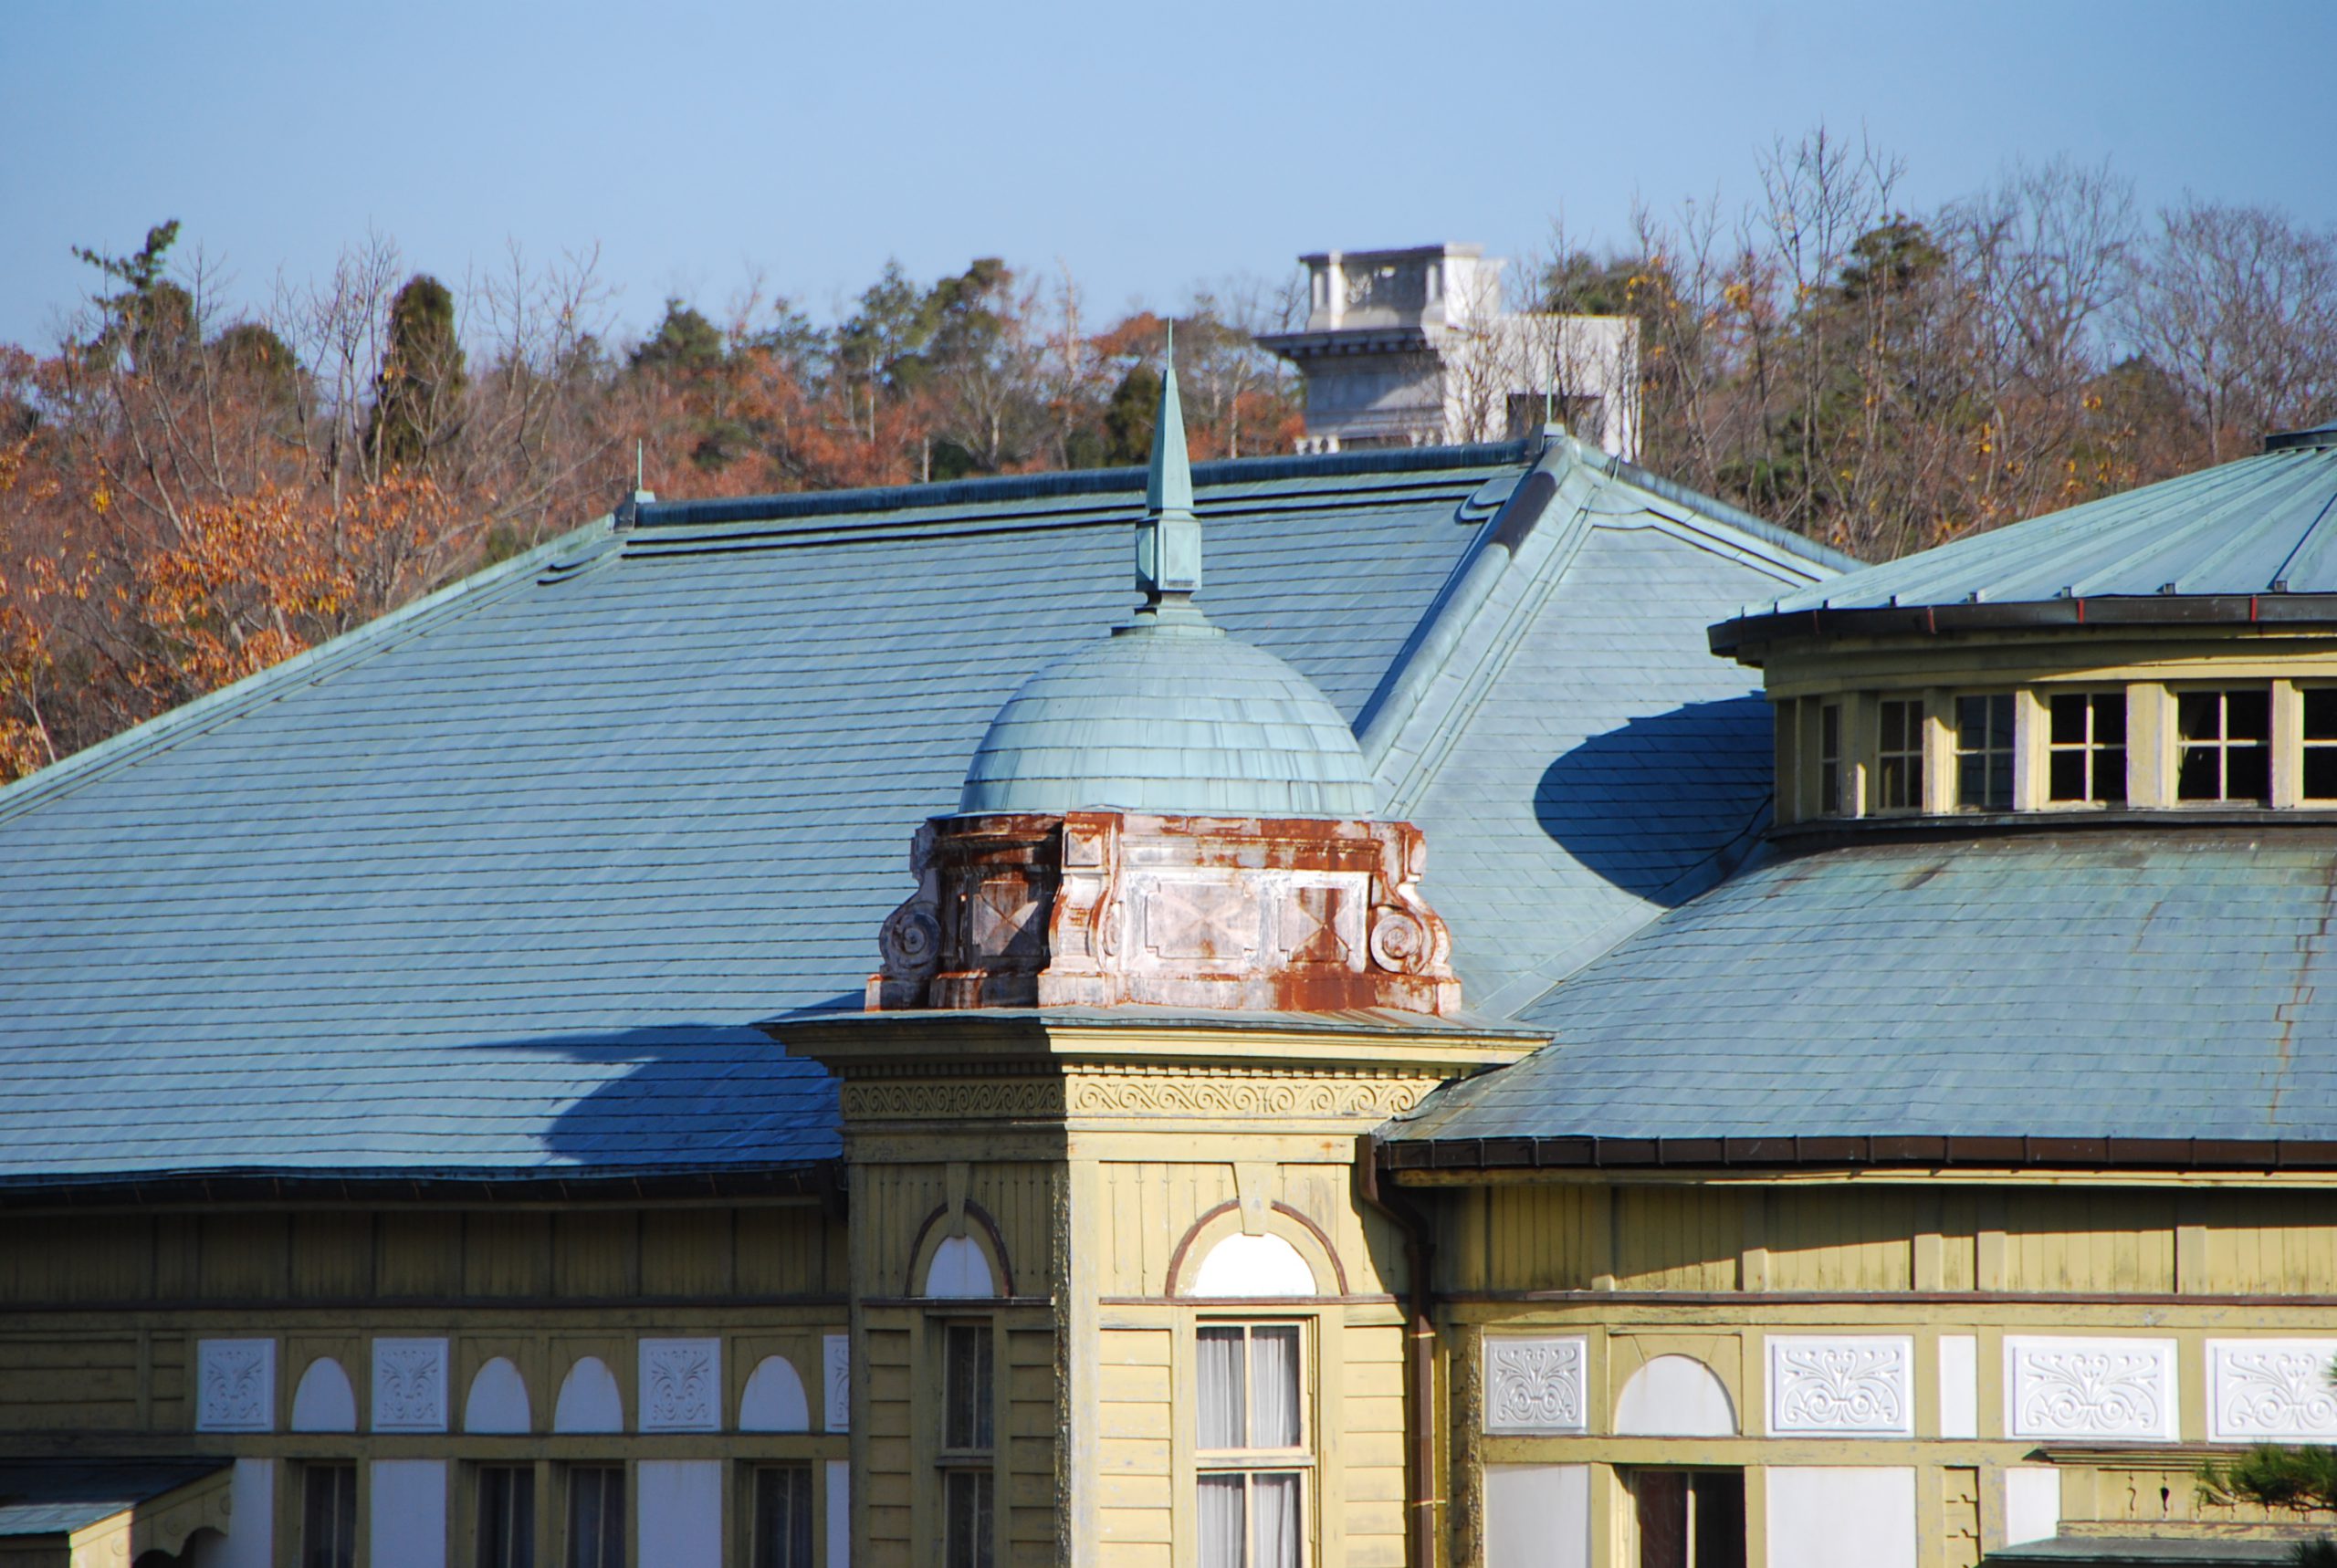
(328, 658)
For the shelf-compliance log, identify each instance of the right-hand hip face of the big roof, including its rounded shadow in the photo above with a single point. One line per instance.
(1560, 730)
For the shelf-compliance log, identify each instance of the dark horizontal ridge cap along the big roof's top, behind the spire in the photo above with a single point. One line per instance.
(1074, 483)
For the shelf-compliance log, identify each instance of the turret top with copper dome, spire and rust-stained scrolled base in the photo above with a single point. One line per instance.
(1174, 819)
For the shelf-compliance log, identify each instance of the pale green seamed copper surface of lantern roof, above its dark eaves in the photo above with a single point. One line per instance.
(2261, 525)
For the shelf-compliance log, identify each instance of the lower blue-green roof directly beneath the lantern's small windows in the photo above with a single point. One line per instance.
(2044, 985)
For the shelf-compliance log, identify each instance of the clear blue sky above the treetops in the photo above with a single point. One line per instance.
(1144, 148)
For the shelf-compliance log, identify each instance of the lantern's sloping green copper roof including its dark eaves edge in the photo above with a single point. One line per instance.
(2259, 534)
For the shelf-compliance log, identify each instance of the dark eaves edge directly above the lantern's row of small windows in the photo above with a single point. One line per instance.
(1749, 634)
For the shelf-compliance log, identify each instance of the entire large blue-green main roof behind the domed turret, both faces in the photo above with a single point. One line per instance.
(497, 887)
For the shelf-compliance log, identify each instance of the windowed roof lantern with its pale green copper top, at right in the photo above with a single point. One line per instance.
(2156, 658)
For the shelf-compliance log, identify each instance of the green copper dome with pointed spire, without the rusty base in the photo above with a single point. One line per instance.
(1170, 714)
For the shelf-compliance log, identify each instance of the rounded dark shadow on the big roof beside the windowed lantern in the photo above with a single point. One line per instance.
(1658, 798)
